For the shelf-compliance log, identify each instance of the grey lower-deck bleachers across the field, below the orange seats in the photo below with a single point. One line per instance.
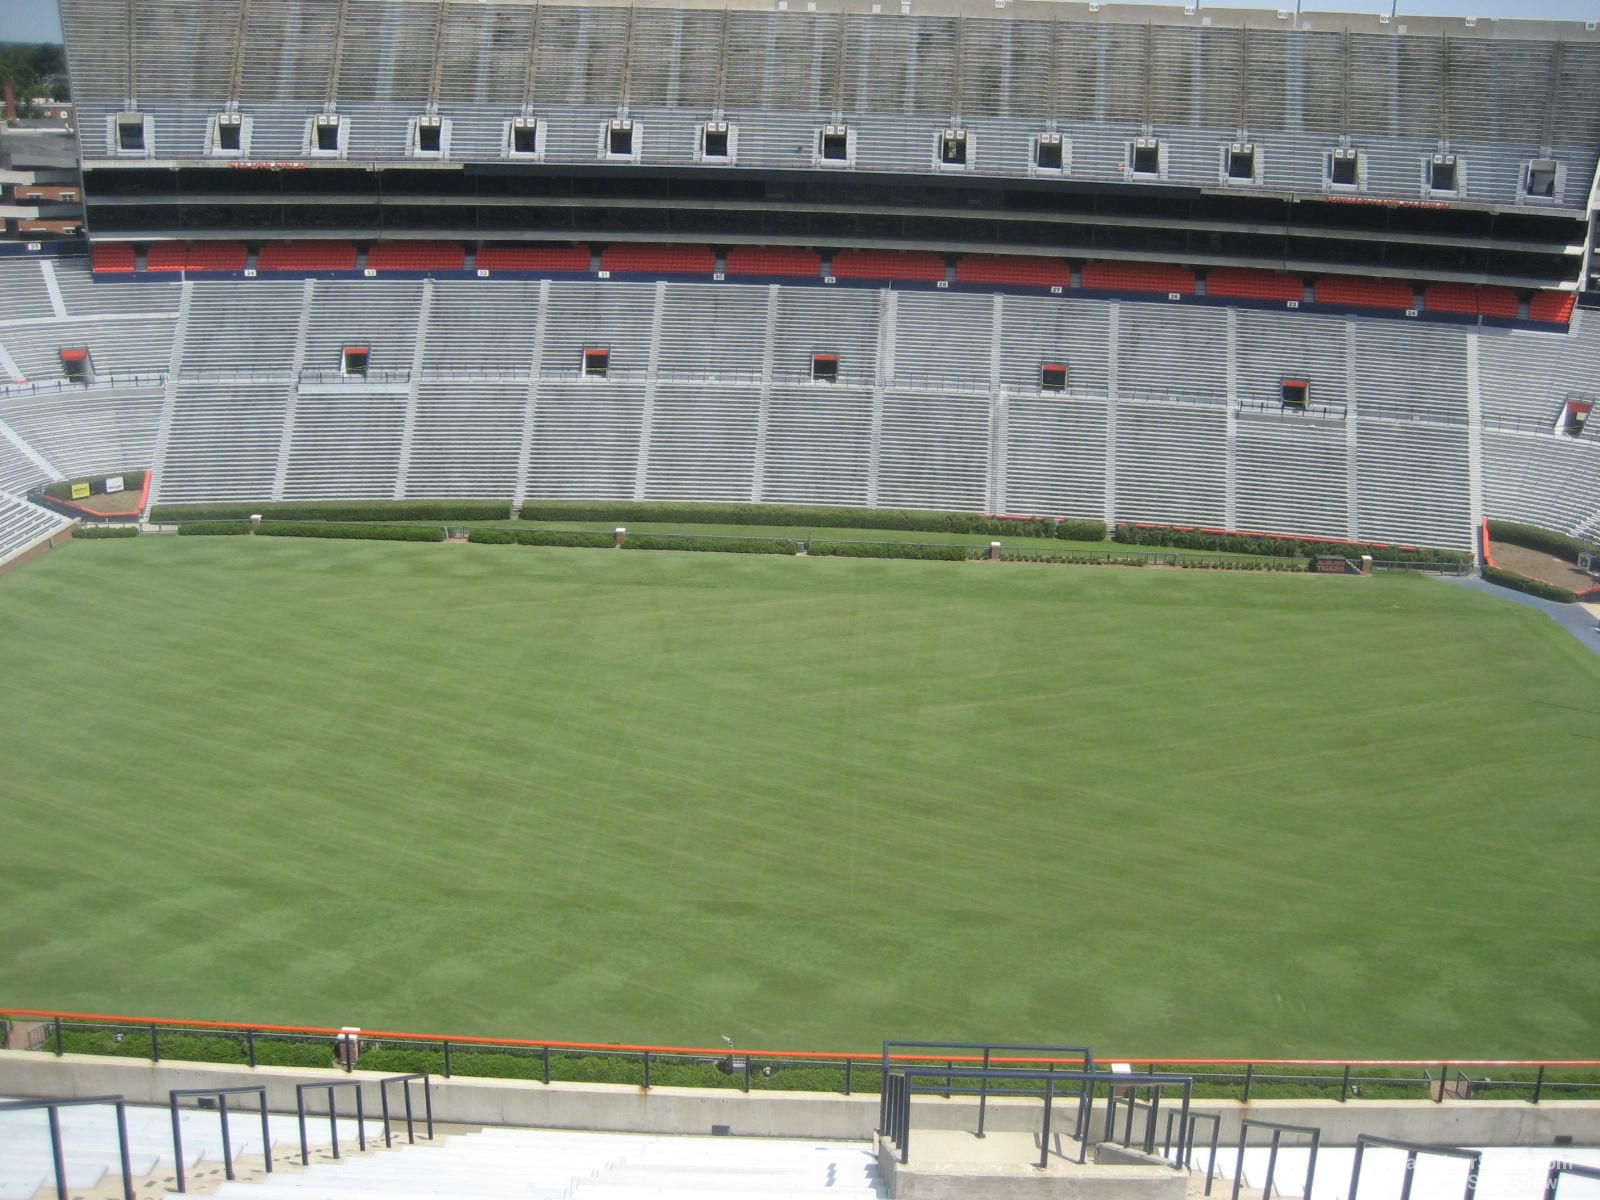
(236, 390)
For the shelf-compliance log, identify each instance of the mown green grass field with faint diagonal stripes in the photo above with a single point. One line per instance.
(809, 804)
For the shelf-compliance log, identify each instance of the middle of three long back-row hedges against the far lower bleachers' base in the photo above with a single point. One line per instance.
(815, 518)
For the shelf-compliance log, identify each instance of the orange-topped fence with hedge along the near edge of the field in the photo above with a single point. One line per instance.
(391, 1054)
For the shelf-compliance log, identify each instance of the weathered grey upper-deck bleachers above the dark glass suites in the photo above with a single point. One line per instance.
(1495, 97)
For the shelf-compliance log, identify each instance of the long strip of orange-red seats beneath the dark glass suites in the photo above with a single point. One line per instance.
(865, 266)
